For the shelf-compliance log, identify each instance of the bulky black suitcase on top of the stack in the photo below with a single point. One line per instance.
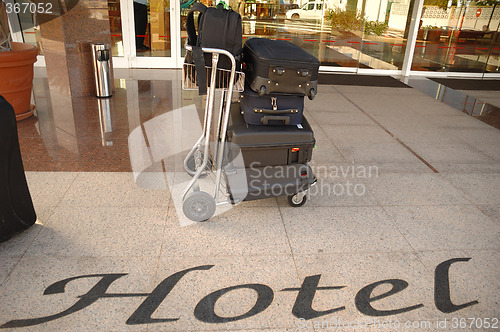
(279, 66)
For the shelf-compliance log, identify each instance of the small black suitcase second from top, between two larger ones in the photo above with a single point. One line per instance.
(272, 109)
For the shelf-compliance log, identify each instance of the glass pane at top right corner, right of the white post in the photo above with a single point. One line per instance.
(461, 37)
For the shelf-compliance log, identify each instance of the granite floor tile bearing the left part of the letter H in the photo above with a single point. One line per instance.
(22, 295)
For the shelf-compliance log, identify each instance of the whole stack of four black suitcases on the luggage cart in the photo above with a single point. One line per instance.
(268, 125)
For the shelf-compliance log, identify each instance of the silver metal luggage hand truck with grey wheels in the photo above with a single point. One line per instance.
(201, 161)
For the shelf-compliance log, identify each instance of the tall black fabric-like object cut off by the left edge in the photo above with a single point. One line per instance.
(16, 207)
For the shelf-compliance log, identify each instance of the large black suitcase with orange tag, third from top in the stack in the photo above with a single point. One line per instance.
(269, 145)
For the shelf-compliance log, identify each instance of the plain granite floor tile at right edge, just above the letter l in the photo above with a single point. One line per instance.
(446, 227)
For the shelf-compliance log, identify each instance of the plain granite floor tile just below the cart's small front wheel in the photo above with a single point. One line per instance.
(342, 230)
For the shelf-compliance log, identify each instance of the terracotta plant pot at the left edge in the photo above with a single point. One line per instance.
(16, 78)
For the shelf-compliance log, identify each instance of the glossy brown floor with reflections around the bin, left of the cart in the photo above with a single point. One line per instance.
(91, 134)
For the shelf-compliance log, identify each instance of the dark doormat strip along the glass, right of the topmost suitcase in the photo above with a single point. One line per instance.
(361, 80)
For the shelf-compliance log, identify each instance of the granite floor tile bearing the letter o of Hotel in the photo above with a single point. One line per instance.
(190, 301)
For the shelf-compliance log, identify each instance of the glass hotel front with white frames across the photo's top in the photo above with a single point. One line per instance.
(421, 37)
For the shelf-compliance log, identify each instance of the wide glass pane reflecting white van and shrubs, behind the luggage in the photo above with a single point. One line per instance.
(341, 33)
